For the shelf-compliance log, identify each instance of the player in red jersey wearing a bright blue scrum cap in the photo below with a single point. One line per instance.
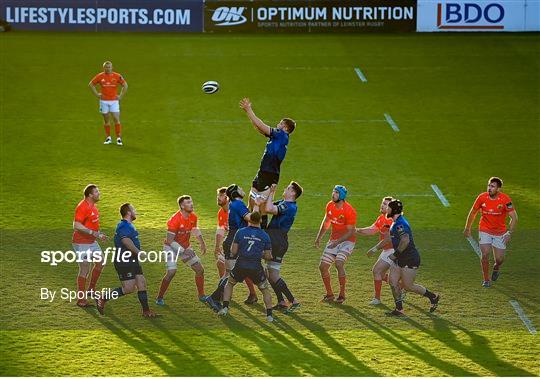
(342, 216)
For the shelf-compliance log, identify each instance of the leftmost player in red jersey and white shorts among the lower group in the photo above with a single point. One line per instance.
(85, 233)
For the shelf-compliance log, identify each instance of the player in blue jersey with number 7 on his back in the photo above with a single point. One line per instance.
(250, 245)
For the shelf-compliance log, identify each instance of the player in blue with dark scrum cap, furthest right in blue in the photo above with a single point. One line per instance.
(407, 259)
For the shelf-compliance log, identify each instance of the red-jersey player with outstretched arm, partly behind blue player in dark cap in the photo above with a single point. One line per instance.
(380, 268)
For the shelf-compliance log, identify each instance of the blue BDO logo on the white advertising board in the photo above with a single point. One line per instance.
(469, 16)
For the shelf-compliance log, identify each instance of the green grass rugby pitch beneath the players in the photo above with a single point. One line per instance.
(467, 107)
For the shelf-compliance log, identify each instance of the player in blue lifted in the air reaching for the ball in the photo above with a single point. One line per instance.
(274, 154)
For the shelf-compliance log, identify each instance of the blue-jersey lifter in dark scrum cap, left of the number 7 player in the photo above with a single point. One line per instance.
(238, 217)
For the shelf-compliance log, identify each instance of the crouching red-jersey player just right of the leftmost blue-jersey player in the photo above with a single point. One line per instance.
(176, 245)
